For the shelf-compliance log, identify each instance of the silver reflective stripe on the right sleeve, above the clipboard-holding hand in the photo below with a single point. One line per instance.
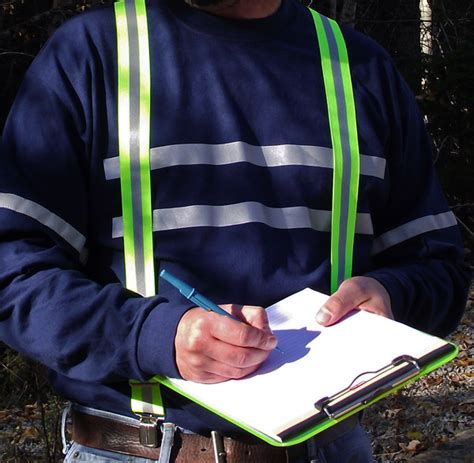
(414, 228)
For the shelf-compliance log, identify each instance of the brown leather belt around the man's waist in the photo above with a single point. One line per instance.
(123, 436)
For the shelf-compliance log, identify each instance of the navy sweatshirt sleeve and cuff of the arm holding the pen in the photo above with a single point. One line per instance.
(51, 309)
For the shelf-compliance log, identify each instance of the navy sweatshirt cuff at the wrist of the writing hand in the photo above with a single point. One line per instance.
(156, 341)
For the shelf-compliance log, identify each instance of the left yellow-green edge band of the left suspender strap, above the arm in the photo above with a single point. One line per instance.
(124, 142)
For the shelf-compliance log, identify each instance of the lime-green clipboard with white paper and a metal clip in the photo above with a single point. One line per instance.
(289, 423)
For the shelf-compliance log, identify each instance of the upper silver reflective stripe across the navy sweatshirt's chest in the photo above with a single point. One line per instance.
(231, 153)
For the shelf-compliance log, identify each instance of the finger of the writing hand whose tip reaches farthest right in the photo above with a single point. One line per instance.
(240, 334)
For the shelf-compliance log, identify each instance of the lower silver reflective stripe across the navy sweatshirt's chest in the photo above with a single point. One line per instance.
(244, 213)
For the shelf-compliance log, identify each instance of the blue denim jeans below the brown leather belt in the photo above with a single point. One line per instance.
(351, 447)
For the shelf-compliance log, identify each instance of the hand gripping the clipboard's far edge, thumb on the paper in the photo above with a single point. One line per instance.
(363, 293)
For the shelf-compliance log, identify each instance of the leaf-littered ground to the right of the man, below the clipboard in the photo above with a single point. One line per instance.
(431, 411)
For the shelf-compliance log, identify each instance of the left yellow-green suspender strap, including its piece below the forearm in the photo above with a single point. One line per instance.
(133, 59)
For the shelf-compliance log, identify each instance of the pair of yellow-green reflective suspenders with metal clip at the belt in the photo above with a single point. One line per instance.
(134, 150)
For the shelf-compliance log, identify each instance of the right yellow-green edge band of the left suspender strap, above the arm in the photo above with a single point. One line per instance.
(145, 117)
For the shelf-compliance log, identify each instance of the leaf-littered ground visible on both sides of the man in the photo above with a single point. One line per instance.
(425, 416)
